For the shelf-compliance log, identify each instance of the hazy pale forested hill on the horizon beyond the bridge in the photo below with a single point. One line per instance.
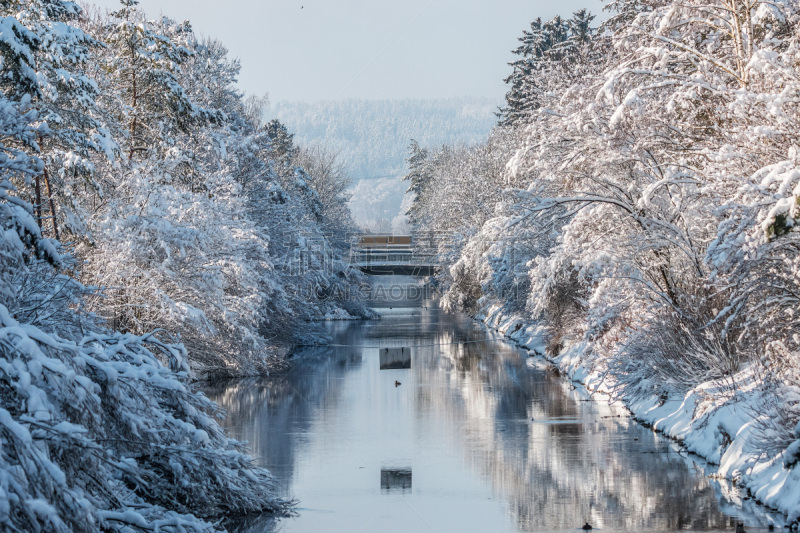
(372, 136)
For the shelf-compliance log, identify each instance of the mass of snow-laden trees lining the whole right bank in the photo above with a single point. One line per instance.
(653, 207)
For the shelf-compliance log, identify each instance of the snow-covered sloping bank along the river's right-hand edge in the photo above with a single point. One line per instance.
(719, 428)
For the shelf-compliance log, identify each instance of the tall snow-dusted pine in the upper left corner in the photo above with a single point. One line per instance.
(64, 97)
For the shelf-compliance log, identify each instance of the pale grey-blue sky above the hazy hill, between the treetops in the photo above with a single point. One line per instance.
(332, 49)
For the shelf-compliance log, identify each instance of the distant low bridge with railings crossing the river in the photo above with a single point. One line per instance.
(391, 255)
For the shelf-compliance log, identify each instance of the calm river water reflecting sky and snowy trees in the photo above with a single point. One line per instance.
(476, 437)
